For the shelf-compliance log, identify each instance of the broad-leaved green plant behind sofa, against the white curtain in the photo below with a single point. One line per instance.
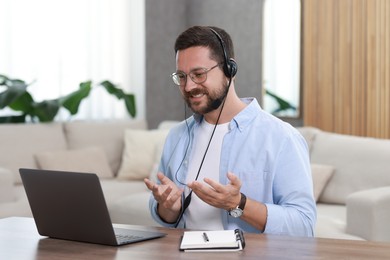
(17, 97)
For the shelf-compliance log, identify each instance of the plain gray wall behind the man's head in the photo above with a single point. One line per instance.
(165, 20)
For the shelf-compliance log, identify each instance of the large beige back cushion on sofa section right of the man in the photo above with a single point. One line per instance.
(360, 163)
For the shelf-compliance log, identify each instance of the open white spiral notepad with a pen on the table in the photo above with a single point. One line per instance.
(216, 240)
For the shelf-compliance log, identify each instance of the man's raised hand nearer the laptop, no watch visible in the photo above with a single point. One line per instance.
(168, 196)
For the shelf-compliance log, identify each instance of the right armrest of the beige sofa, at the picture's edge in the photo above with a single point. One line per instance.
(368, 214)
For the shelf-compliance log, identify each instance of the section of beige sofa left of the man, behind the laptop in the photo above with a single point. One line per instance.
(82, 146)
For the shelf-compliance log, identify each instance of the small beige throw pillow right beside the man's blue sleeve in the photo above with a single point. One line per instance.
(321, 175)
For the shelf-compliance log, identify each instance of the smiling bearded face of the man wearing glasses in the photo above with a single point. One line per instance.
(200, 96)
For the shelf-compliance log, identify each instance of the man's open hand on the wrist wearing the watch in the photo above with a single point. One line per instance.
(218, 195)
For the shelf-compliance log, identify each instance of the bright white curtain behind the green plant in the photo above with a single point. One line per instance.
(59, 44)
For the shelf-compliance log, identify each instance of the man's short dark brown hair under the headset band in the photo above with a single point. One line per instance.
(204, 36)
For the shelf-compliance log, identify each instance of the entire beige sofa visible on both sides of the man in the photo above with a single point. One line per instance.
(351, 174)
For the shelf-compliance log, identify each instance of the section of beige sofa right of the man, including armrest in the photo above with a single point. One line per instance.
(352, 177)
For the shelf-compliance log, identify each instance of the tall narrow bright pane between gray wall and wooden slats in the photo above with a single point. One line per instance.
(281, 57)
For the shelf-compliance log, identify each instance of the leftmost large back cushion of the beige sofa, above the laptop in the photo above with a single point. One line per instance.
(19, 143)
